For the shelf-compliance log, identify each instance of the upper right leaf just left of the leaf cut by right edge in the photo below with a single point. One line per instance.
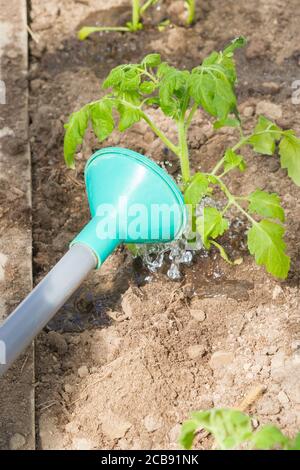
(269, 133)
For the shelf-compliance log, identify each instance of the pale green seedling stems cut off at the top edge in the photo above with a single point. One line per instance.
(138, 9)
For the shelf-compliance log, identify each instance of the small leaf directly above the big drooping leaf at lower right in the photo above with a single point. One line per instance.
(266, 204)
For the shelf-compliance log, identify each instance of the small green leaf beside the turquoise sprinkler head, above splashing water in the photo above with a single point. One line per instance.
(211, 225)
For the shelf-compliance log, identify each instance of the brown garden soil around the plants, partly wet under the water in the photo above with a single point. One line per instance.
(123, 364)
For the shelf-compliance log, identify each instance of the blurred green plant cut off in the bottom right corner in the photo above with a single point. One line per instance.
(232, 428)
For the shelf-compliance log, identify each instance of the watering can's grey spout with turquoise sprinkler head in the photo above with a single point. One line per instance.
(132, 200)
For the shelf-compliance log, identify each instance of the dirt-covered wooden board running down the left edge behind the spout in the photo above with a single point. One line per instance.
(17, 386)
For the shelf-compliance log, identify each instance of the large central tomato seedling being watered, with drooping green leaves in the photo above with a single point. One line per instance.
(178, 94)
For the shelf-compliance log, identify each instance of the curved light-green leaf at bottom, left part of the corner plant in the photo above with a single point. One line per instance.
(230, 428)
